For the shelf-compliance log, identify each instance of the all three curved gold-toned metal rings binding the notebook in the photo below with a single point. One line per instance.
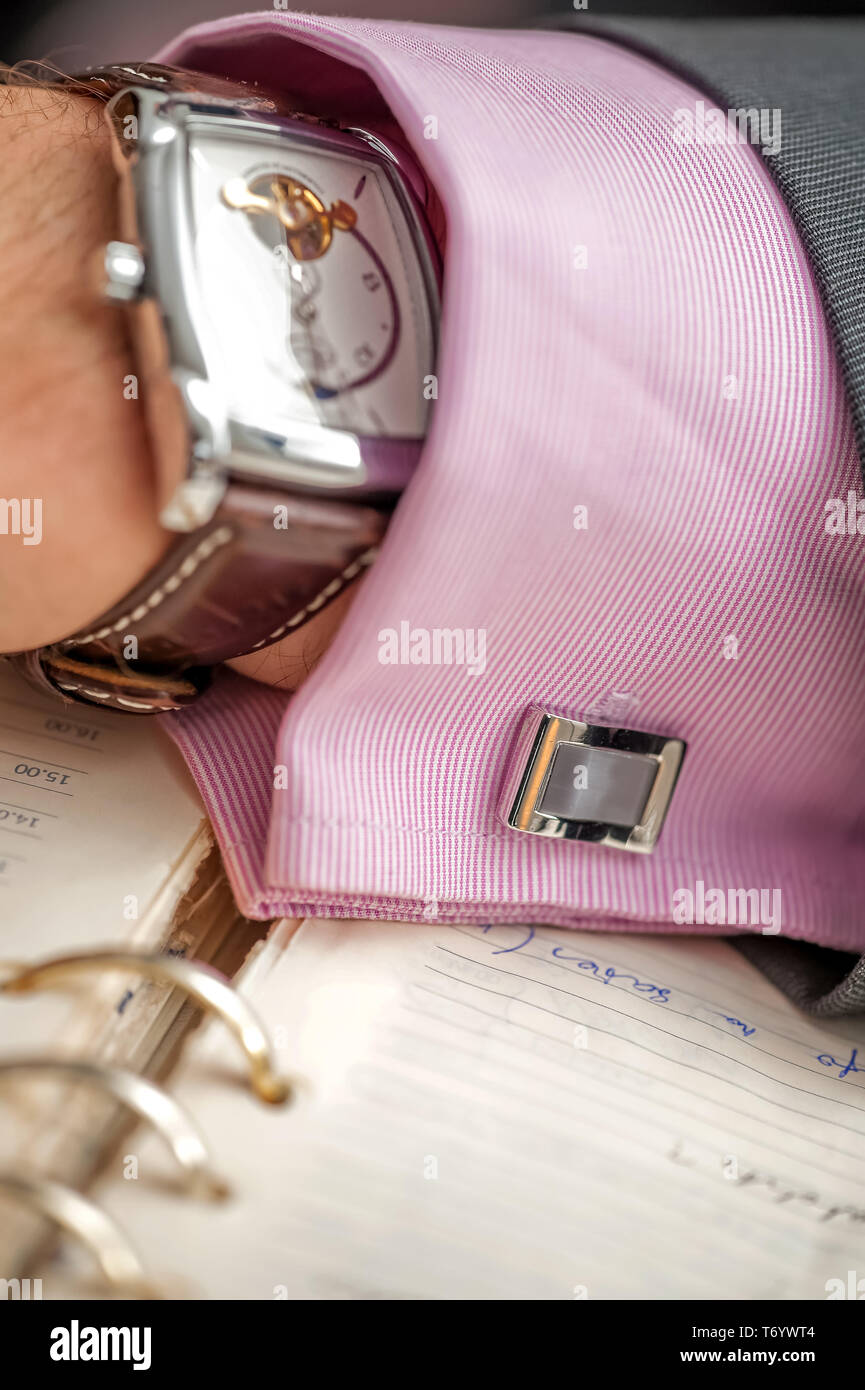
(67, 1207)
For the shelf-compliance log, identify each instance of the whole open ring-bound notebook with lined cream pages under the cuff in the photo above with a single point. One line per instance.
(510, 1113)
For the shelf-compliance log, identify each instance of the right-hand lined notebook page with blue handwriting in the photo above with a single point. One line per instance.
(519, 1114)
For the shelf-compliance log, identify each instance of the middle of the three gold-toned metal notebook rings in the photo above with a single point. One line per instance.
(149, 1103)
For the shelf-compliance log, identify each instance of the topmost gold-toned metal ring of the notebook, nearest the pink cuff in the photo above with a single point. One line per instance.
(201, 982)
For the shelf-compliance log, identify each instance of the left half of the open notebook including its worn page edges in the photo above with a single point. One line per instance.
(104, 843)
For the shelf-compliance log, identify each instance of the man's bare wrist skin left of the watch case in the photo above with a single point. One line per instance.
(77, 459)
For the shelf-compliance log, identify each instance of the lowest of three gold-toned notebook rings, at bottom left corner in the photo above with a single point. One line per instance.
(87, 1223)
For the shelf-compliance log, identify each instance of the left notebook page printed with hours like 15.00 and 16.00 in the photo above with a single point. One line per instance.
(99, 825)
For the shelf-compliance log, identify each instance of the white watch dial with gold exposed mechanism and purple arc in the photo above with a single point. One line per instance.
(314, 293)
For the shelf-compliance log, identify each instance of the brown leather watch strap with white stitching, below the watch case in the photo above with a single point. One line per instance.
(265, 565)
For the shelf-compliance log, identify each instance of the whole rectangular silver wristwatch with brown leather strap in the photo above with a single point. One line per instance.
(283, 276)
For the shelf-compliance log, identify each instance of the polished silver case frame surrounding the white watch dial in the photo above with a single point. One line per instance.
(180, 400)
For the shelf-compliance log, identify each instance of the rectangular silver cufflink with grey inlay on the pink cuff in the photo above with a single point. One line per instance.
(588, 782)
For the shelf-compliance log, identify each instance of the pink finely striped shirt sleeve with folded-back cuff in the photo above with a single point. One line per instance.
(631, 327)
